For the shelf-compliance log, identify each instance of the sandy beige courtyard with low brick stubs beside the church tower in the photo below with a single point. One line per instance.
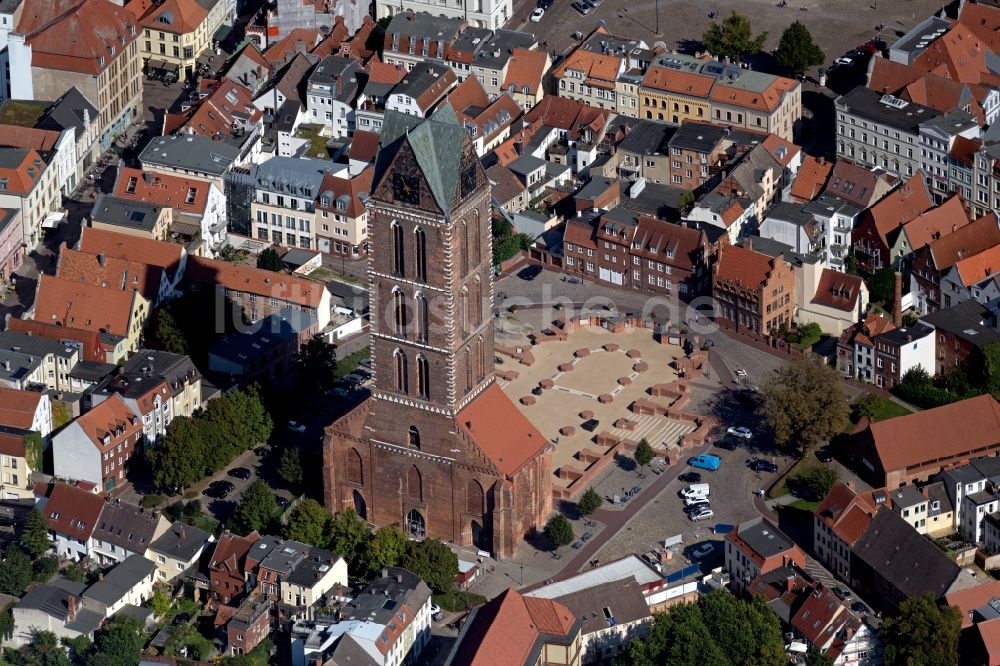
(579, 391)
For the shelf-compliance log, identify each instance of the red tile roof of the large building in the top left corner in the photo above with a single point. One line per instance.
(76, 35)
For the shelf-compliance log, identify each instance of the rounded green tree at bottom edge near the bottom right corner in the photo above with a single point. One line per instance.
(922, 633)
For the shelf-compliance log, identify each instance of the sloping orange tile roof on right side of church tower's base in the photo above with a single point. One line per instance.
(499, 429)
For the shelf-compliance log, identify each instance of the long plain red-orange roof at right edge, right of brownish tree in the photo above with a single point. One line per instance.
(937, 433)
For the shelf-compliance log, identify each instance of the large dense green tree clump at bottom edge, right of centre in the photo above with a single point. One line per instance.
(719, 630)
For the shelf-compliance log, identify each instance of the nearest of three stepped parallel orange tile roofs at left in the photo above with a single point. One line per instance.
(83, 306)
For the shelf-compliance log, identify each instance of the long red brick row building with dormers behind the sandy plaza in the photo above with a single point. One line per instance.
(638, 252)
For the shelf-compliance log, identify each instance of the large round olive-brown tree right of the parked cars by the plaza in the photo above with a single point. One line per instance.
(804, 403)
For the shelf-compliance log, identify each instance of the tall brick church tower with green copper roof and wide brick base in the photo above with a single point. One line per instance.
(438, 448)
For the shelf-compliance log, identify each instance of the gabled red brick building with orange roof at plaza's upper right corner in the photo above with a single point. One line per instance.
(752, 290)
